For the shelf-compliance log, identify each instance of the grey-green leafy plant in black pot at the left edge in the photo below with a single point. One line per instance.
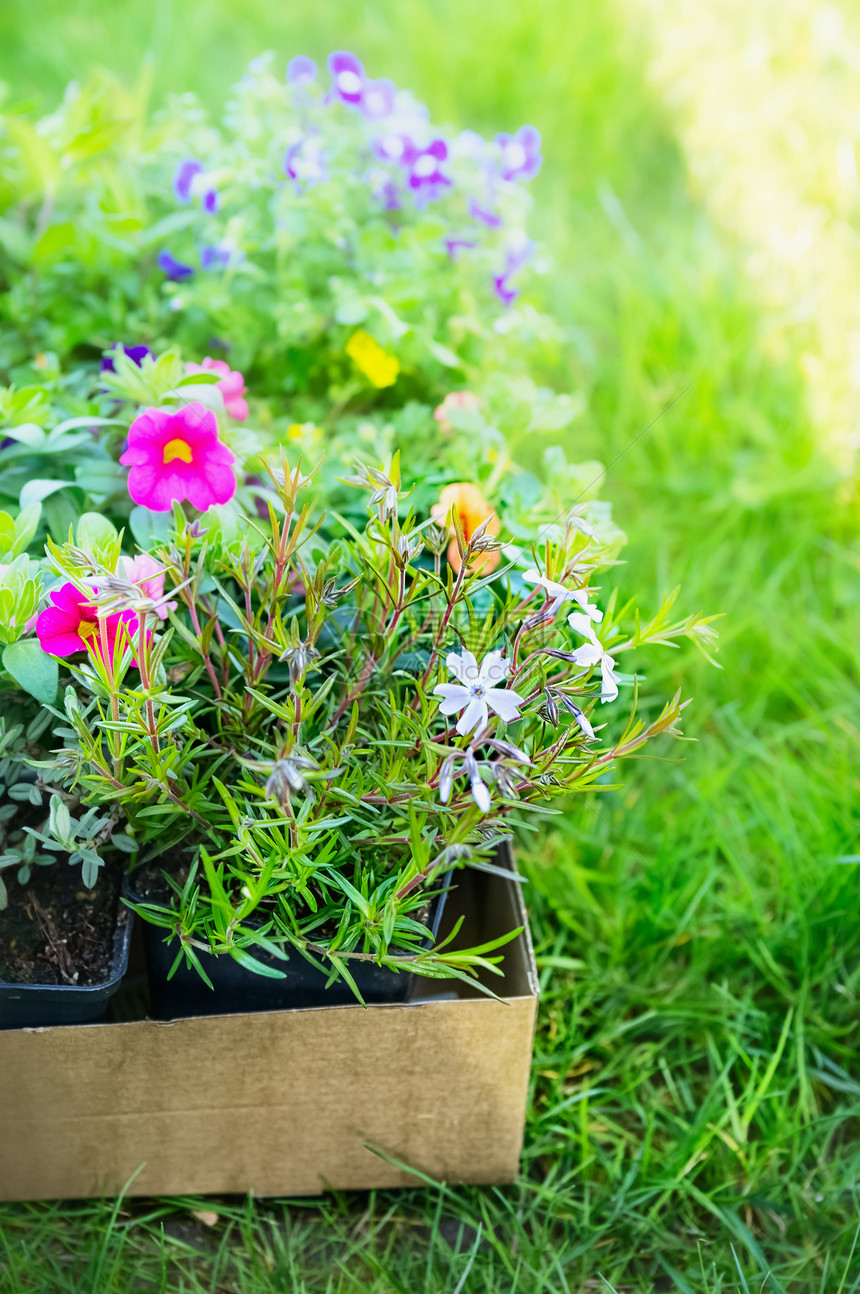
(64, 940)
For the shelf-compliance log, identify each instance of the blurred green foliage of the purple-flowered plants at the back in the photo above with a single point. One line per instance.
(286, 271)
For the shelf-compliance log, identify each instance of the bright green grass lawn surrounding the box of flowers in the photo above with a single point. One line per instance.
(696, 1094)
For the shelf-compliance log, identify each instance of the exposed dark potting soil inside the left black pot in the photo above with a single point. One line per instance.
(56, 931)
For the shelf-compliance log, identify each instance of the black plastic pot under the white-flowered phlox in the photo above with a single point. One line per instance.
(236, 991)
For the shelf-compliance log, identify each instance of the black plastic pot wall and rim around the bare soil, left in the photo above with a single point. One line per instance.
(34, 1006)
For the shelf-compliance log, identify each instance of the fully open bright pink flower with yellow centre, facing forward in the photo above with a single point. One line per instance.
(177, 456)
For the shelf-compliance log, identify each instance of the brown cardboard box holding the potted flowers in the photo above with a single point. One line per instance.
(283, 1103)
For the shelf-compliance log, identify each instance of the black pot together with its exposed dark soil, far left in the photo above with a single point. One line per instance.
(61, 945)
